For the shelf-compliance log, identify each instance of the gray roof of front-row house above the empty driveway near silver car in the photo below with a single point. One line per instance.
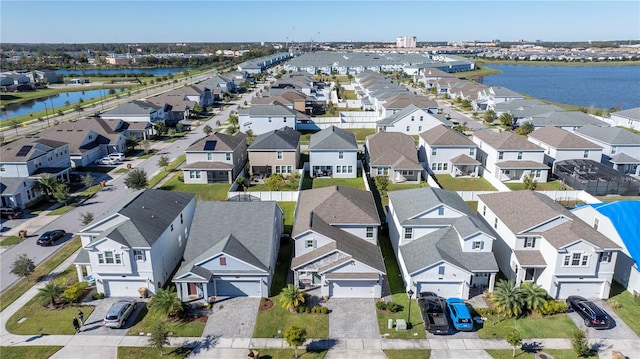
(243, 230)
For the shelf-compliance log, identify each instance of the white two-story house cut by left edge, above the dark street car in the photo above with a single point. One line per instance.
(23, 161)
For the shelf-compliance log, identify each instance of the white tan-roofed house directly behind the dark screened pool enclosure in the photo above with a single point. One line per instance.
(560, 145)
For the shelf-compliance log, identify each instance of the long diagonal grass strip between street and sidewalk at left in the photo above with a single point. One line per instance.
(21, 286)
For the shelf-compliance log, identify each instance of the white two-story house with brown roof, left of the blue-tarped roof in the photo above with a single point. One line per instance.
(540, 241)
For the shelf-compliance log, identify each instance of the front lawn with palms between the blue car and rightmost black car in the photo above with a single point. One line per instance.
(557, 326)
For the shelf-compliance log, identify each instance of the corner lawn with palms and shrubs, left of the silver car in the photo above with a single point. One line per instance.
(40, 319)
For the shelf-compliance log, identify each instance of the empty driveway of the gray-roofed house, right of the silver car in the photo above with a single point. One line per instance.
(232, 318)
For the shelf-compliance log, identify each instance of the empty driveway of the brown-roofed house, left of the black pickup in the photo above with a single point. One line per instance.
(352, 318)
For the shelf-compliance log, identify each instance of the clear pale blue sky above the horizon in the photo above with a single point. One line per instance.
(112, 21)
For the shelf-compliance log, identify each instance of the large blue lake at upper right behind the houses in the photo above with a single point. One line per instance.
(586, 86)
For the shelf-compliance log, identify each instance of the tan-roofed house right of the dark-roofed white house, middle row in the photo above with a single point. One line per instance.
(393, 155)
